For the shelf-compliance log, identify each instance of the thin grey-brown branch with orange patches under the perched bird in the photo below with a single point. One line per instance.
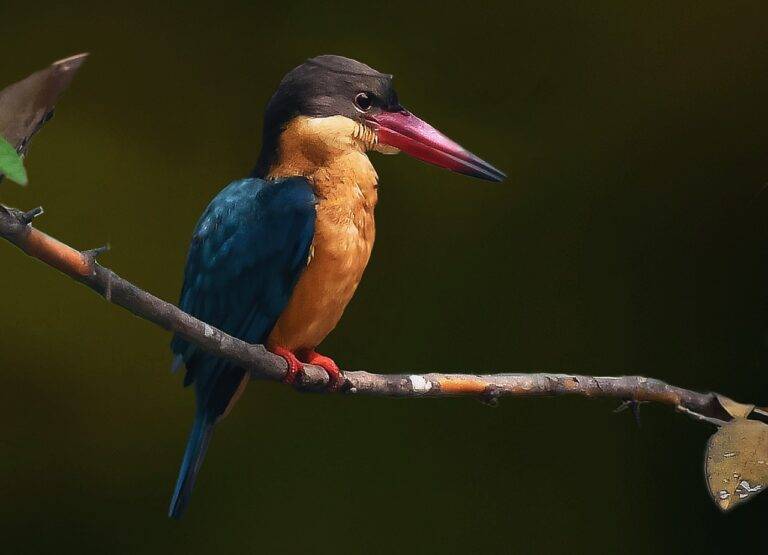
(15, 226)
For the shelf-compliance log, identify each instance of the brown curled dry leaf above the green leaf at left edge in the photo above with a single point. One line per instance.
(26, 106)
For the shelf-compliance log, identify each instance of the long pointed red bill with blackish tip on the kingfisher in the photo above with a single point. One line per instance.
(404, 131)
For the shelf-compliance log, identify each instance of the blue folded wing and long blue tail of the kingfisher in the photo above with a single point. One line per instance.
(248, 251)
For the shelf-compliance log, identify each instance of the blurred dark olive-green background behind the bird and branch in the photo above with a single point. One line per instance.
(630, 237)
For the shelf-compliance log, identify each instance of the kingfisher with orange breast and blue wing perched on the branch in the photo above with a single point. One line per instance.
(276, 257)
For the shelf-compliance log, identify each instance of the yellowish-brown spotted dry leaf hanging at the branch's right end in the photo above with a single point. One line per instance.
(736, 462)
